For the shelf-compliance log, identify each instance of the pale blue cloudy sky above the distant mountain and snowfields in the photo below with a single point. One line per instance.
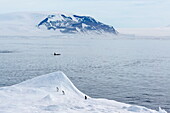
(119, 13)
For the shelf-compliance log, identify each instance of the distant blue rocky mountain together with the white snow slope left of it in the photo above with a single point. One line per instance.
(49, 23)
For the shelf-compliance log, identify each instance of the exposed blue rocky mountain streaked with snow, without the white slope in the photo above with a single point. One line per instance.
(75, 23)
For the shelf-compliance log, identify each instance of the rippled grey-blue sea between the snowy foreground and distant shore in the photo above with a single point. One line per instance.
(134, 71)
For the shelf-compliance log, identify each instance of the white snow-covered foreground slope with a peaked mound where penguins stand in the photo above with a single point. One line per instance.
(39, 95)
